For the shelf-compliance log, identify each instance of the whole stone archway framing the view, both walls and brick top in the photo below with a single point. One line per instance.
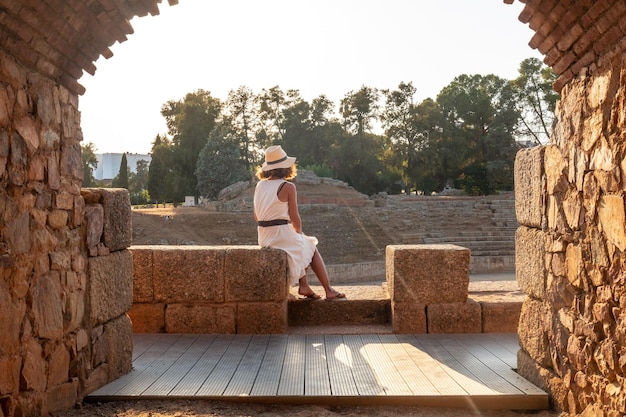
(54, 349)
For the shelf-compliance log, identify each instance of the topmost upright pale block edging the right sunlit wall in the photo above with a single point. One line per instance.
(528, 186)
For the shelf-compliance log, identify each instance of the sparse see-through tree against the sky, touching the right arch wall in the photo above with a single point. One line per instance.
(536, 100)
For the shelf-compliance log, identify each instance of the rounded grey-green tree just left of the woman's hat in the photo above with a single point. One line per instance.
(220, 163)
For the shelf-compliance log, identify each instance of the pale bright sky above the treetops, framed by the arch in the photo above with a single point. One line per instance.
(328, 47)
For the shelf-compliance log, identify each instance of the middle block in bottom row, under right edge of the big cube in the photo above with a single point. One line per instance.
(454, 317)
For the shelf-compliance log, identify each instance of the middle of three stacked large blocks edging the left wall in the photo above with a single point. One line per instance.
(111, 286)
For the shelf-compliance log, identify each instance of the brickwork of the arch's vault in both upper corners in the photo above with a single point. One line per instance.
(61, 39)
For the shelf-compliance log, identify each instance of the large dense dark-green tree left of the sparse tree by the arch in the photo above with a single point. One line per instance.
(481, 116)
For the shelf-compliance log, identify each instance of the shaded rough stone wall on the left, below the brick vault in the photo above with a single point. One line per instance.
(55, 343)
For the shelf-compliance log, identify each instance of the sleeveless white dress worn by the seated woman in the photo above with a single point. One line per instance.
(299, 247)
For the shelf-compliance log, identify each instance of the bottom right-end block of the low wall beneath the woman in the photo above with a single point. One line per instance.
(262, 318)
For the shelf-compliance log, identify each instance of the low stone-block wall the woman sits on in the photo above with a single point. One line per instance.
(209, 289)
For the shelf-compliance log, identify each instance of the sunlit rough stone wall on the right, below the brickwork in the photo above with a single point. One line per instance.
(570, 246)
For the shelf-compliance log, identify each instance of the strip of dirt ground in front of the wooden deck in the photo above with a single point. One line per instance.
(200, 408)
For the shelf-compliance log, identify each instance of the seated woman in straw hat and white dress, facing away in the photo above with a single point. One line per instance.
(280, 226)
